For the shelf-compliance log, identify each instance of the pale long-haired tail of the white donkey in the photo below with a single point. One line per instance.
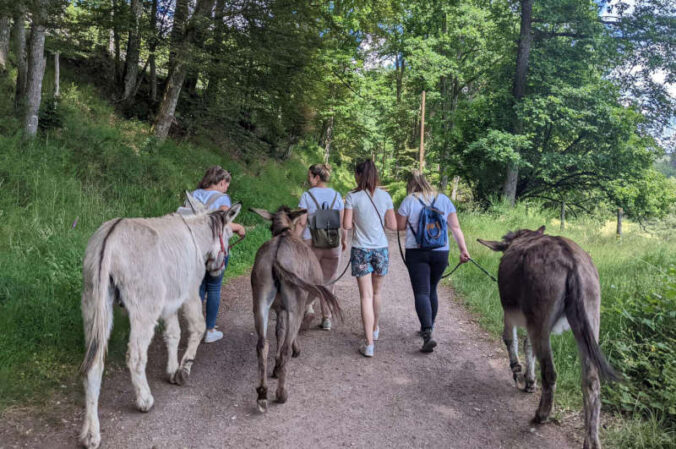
(97, 304)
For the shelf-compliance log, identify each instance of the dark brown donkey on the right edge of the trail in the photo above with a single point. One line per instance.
(549, 284)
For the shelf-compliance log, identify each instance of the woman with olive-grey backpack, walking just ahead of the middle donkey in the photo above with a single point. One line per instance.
(316, 197)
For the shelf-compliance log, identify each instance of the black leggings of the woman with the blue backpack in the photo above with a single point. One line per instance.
(425, 268)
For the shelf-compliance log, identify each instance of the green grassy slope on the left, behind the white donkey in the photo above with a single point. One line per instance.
(94, 168)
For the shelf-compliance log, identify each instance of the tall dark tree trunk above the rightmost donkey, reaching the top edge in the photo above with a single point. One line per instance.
(519, 90)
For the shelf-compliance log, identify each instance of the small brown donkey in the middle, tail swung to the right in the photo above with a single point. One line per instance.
(286, 277)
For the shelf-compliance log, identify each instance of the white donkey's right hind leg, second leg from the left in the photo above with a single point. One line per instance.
(137, 356)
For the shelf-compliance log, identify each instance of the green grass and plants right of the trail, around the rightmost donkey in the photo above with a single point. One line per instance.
(638, 316)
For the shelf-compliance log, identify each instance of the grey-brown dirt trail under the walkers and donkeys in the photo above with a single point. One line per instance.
(461, 396)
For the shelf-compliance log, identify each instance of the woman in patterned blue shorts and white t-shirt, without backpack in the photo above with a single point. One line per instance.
(369, 210)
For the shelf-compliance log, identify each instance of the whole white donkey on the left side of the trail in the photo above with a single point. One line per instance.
(152, 267)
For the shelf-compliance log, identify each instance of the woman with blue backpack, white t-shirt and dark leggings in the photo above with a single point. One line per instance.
(426, 259)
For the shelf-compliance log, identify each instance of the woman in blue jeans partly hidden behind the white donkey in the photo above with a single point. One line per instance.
(211, 191)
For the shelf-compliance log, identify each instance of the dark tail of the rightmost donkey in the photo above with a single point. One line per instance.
(582, 329)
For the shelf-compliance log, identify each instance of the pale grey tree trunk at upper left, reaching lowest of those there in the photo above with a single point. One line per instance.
(36, 71)
